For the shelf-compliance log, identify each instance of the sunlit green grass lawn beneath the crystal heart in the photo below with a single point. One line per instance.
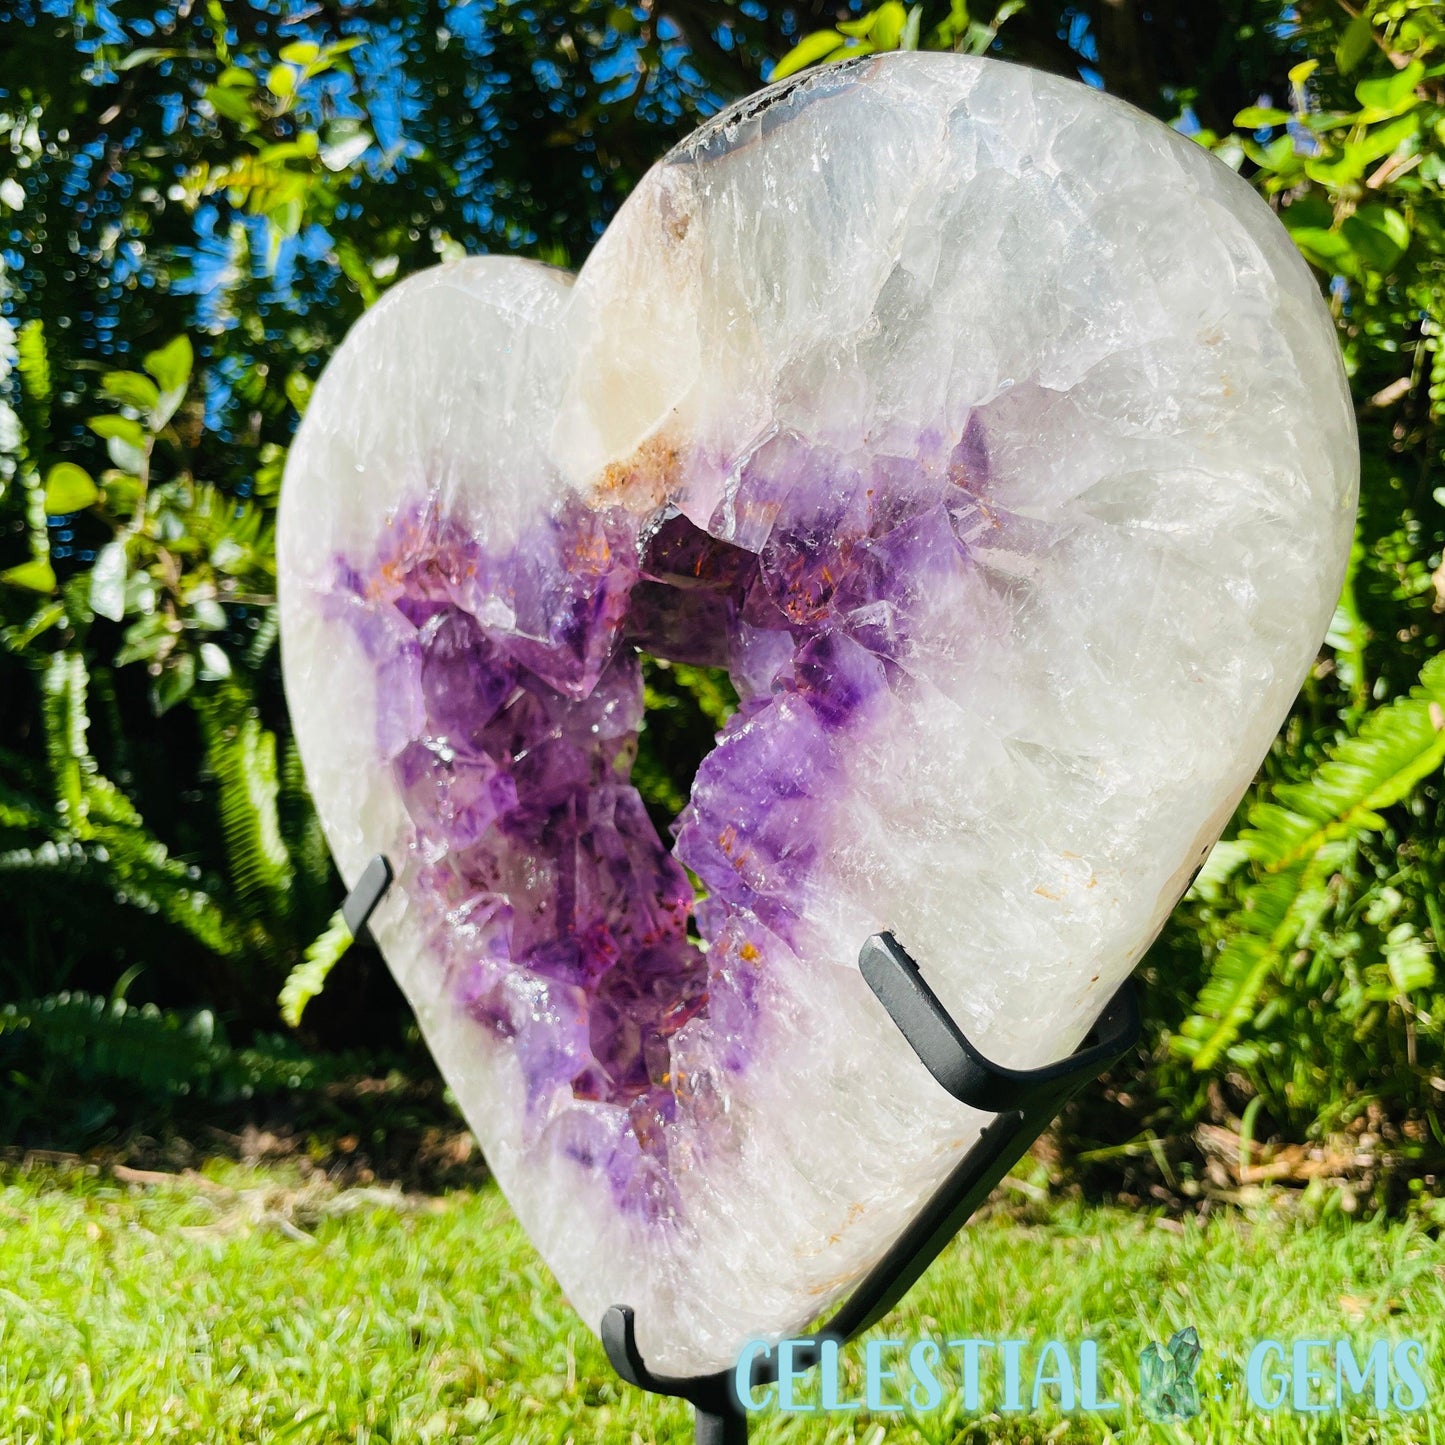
(256, 1307)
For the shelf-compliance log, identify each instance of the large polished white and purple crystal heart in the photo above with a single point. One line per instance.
(995, 440)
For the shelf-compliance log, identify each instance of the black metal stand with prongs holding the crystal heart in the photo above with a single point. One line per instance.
(1024, 1102)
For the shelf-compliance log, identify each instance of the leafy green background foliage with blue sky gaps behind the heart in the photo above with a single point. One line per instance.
(199, 200)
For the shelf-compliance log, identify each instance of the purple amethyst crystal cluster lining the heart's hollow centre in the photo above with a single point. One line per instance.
(560, 917)
